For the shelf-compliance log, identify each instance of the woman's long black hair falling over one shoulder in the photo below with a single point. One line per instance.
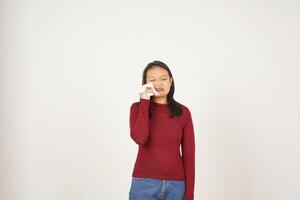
(174, 107)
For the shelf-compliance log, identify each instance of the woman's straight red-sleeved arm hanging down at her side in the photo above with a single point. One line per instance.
(188, 154)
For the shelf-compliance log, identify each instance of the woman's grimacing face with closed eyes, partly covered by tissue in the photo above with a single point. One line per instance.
(160, 80)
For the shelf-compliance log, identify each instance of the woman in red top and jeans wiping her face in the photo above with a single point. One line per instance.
(159, 125)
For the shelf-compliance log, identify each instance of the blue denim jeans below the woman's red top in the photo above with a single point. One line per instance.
(156, 189)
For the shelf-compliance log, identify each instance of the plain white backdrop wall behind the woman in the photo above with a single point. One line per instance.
(70, 70)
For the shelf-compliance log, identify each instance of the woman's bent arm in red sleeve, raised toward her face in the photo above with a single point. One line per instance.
(139, 121)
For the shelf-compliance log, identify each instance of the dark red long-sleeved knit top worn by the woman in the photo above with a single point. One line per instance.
(159, 139)
